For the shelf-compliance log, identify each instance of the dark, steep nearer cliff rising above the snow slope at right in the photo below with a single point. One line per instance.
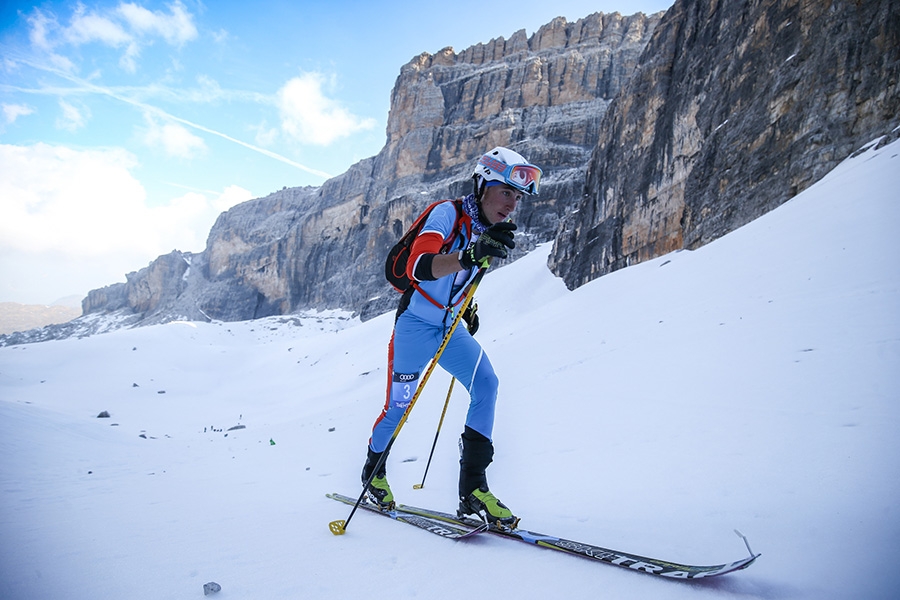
(736, 107)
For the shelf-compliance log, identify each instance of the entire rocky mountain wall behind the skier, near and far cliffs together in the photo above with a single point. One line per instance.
(655, 133)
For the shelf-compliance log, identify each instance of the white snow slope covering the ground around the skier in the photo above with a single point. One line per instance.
(751, 384)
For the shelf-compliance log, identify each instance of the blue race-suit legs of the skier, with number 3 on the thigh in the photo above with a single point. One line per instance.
(413, 343)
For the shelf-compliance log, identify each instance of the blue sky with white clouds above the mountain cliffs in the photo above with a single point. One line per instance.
(127, 127)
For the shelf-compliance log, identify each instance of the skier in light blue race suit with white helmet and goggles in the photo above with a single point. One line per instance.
(482, 230)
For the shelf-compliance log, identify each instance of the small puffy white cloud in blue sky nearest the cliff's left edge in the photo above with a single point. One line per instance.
(309, 117)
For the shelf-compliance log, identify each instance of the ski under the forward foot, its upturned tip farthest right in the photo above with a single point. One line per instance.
(618, 558)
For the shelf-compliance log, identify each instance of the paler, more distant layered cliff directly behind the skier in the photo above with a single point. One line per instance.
(324, 247)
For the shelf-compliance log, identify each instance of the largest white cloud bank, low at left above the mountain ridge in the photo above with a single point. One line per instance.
(65, 211)
